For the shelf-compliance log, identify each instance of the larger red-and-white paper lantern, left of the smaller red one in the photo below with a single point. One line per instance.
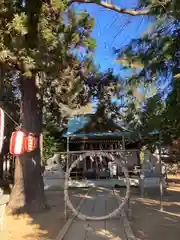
(17, 143)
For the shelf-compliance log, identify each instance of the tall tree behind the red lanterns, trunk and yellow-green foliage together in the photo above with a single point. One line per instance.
(38, 42)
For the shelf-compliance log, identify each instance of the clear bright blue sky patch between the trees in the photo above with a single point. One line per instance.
(114, 30)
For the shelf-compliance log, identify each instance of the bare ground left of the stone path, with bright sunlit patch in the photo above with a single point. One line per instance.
(45, 225)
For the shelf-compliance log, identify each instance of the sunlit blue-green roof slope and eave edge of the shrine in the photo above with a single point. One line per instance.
(77, 123)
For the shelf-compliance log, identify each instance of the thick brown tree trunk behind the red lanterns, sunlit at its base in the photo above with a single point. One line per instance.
(28, 191)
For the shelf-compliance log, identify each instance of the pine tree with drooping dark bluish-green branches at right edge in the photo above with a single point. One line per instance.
(156, 55)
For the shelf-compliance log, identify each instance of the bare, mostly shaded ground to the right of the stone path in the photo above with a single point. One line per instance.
(149, 223)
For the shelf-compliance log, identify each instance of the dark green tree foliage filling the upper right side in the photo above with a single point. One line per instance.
(158, 52)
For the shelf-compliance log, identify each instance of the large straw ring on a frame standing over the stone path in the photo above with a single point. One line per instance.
(109, 186)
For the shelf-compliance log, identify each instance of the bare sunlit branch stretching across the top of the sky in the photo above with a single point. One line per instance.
(113, 7)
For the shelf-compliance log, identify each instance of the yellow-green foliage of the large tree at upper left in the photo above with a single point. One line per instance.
(48, 45)
